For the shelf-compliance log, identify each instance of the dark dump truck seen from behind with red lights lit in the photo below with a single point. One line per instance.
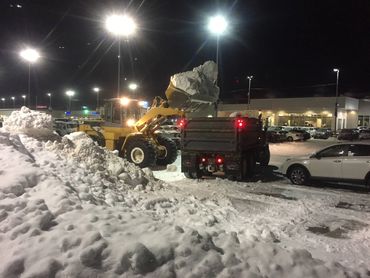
(225, 146)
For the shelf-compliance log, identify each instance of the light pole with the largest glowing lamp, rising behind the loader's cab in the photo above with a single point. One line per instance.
(120, 26)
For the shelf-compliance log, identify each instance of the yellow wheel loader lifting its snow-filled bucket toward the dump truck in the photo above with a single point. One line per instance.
(138, 142)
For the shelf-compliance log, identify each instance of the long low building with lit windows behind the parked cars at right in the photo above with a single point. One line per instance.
(310, 111)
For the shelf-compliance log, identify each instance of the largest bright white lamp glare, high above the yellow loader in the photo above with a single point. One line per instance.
(120, 25)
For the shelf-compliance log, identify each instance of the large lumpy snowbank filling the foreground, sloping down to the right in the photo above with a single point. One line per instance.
(69, 209)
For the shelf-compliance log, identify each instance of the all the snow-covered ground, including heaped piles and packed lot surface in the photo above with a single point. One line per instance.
(69, 208)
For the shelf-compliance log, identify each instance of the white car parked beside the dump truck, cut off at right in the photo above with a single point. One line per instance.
(340, 162)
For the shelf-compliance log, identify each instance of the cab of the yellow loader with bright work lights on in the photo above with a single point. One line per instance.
(123, 111)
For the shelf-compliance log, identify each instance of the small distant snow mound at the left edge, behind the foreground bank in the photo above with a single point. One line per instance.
(27, 119)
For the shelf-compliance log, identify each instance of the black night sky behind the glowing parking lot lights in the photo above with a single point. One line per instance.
(290, 46)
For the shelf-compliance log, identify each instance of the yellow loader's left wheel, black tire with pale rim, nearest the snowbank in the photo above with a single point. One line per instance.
(140, 152)
